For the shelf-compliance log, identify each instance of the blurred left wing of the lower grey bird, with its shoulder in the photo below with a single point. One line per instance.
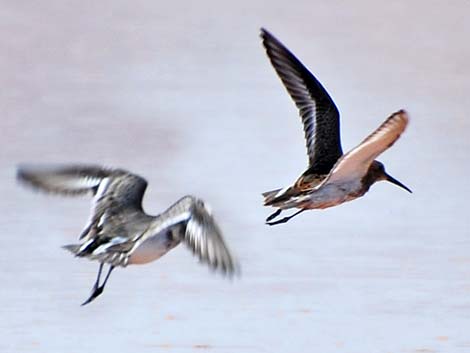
(115, 191)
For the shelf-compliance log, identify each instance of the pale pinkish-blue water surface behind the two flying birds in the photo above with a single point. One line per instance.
(183, 94)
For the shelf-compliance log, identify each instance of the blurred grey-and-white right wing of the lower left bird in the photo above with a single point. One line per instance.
(201, 233)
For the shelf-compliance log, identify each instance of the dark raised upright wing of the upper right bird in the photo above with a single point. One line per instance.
(319, 114)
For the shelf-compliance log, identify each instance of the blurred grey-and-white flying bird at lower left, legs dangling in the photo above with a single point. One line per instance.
(119, 232)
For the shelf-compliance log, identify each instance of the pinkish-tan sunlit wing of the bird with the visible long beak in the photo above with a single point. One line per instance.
(356, 163)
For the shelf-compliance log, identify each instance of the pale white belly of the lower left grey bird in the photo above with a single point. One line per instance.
(152, 249)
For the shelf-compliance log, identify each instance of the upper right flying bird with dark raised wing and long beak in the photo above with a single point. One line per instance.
(331, 177)
